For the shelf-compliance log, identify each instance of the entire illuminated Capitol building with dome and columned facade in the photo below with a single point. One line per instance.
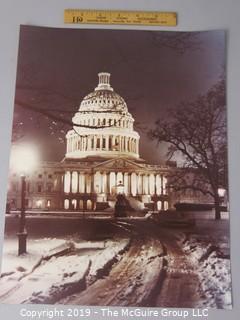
(102, 159)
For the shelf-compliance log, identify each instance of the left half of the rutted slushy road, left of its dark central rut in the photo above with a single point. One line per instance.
(130, 282)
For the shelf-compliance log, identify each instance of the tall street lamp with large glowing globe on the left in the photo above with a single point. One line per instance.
(23, 160)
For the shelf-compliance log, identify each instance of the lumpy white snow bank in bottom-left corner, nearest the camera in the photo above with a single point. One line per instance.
(51, 281)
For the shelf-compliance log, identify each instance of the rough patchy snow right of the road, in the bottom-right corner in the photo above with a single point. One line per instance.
(213, 267)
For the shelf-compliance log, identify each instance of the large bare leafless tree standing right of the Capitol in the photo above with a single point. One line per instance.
(197, 131)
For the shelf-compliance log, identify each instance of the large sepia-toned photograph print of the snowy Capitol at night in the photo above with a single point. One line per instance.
(117, 192)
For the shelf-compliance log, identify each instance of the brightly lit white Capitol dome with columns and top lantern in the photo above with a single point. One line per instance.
(103, 126)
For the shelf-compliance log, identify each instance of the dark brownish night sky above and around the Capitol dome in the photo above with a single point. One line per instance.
(58, 67)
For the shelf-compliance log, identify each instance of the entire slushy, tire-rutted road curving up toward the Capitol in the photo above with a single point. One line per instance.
(147, 275)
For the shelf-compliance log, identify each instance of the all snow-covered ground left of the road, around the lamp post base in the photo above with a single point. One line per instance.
(33, 278)
